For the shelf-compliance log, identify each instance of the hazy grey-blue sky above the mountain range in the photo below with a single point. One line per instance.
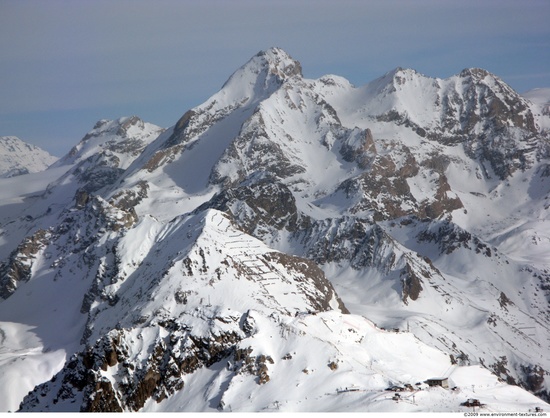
(66, 64)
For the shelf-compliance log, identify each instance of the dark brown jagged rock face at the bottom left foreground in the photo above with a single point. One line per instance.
(161, 375)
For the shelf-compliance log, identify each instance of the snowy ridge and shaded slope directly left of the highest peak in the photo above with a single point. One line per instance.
(38, 201)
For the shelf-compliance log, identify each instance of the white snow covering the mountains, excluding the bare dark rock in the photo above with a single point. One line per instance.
(327, 361)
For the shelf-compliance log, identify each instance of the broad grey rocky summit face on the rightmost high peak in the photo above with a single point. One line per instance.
(476, 109)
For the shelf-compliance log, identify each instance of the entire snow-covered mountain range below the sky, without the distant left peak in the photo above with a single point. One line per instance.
(288, 233)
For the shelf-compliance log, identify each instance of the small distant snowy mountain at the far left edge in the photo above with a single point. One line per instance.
(18, 157)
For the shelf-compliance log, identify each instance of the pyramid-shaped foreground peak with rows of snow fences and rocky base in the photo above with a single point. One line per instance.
(182, 346)
